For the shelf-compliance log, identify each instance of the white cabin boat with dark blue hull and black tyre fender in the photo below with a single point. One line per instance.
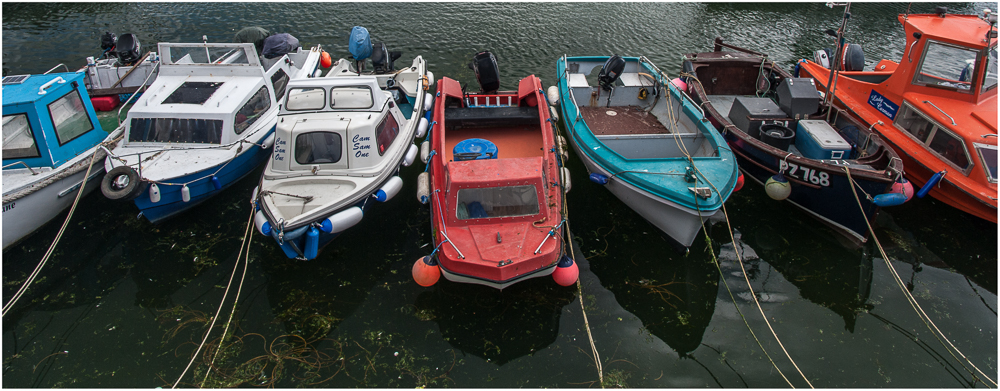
(205, 122)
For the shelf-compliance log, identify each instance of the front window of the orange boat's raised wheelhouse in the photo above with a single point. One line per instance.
(946, 66)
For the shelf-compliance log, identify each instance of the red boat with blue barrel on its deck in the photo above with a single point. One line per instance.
(495, 184)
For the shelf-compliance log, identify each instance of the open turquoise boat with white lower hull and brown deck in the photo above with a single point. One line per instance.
(646, 141)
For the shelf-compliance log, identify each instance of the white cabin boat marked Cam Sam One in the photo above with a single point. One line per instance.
(340, 142)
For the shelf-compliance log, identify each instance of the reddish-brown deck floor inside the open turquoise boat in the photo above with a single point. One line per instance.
(621, 120)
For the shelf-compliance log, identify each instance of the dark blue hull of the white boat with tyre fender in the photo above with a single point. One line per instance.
(171, 203)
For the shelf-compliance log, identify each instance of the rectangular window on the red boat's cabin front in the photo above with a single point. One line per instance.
(505, 201)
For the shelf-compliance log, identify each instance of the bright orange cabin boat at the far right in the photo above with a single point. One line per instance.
(937, 107)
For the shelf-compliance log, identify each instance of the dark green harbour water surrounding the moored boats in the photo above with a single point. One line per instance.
(124, 303)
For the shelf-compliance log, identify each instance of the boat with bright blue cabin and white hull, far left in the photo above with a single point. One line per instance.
(50, 136)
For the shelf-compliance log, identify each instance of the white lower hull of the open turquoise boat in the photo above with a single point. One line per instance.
(680, 223)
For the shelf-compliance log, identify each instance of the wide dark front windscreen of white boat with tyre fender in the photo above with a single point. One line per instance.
(175, 130)
